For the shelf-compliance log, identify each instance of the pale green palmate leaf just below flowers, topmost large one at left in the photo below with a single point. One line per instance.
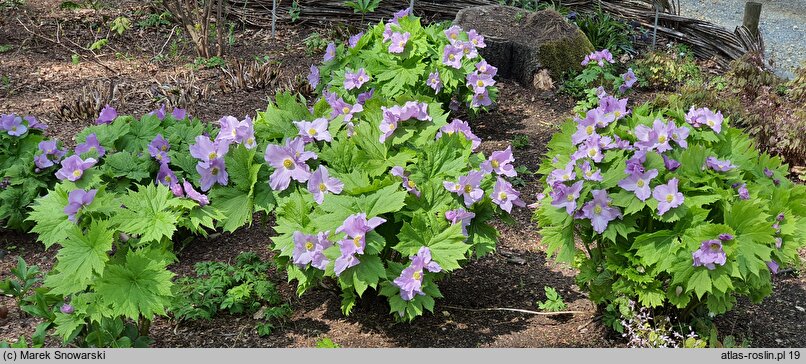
(147, 213)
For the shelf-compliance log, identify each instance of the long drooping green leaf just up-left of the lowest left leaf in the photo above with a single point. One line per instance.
(81, 259)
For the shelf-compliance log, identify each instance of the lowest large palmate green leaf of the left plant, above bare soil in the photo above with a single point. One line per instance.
(140, 287)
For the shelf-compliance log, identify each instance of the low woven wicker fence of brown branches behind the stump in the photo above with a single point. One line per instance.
(707, 40)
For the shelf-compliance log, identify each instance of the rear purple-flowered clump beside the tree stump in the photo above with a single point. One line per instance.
(401, 57)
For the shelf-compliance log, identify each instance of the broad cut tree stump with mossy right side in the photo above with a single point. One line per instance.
(521, 43)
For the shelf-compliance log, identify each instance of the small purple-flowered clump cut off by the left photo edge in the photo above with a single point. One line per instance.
(27, 163)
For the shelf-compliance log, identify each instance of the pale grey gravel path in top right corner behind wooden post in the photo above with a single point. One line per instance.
(783, 24)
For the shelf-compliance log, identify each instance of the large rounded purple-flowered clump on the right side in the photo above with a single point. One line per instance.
(684, 210)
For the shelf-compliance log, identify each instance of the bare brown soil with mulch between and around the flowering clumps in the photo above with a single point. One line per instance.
(42, 78)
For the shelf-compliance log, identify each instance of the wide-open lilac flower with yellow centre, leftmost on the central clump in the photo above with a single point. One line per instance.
(288, 162)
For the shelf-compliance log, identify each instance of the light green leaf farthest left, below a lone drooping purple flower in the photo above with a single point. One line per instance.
(51, 222)
